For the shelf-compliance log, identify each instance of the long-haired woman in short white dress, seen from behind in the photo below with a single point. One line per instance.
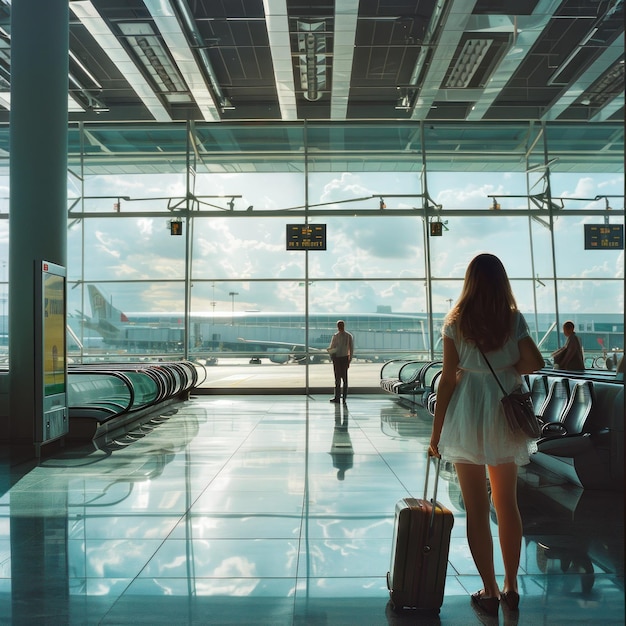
(469, 427)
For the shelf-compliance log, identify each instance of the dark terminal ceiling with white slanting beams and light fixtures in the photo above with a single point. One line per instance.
(340, 60)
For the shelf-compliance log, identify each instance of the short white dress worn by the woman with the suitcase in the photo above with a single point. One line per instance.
(475, 428)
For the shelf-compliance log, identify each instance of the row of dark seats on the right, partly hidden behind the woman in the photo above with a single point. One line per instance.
(582, 417)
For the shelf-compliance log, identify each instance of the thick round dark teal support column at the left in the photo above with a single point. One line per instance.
(38, 179)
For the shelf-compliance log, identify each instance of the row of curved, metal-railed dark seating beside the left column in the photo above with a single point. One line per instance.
(102, 397)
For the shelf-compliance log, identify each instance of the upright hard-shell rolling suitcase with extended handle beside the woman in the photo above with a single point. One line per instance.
(419, 557)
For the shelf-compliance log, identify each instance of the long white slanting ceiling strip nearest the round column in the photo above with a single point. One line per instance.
(100, 31)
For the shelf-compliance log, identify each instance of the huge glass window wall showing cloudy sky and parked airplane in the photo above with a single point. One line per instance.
(177, 240)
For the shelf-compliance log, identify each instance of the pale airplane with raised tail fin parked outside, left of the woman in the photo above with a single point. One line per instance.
(279, 337)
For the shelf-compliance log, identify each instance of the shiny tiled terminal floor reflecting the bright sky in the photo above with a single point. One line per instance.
(276, 510)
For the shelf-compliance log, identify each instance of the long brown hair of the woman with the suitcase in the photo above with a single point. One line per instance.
(483, 313)
